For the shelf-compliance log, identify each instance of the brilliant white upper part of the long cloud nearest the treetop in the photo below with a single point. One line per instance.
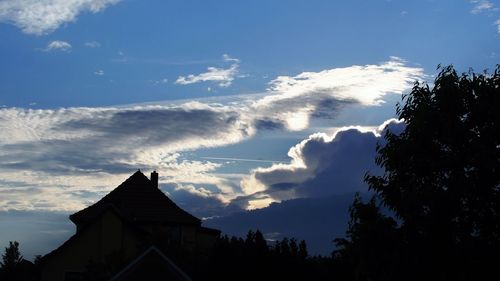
(365, 84)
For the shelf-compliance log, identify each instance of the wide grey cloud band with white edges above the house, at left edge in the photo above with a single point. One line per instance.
(133, 136)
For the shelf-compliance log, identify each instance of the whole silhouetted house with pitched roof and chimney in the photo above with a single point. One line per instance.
(134, 228)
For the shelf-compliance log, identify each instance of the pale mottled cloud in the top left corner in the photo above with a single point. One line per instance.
(45, 16)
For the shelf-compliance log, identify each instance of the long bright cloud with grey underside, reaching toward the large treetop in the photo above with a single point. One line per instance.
(293, 100)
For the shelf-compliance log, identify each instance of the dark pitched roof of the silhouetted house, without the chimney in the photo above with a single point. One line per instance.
(138, 200)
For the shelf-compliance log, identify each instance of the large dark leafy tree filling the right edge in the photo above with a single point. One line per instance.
(442, 176)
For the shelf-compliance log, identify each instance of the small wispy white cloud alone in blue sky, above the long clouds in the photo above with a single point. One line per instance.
(223, 76)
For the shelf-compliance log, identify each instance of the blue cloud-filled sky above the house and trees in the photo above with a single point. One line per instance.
(239, 105)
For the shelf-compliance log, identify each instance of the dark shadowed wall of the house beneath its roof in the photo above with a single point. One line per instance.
(111, 242)
